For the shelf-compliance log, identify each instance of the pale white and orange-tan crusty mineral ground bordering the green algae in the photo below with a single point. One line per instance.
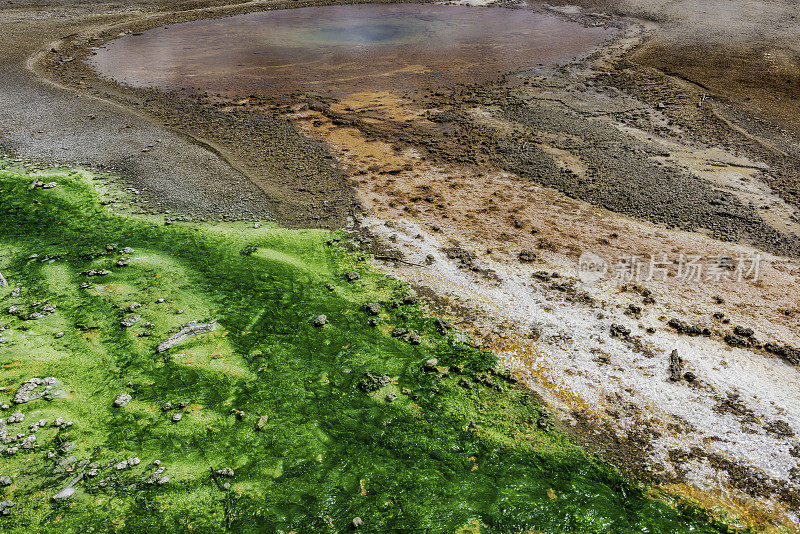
(681, 429)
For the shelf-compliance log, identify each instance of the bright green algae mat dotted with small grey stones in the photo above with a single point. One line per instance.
(268, 422)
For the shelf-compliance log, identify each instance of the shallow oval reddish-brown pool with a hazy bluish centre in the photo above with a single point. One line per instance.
(341, 49)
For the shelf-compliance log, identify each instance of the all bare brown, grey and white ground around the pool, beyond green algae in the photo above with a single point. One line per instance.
(487, 198)
